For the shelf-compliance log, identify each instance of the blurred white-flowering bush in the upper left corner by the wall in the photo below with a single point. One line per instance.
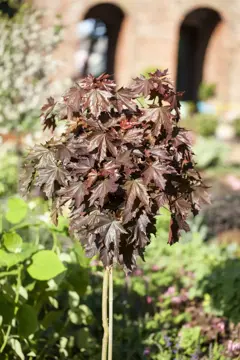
(27, 67)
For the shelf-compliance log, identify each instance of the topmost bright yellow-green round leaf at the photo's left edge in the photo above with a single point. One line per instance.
(17, 210)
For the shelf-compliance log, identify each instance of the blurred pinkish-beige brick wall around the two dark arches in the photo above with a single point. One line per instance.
(150, 34)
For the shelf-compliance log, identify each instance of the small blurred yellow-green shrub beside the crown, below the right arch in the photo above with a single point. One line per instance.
(202, 124)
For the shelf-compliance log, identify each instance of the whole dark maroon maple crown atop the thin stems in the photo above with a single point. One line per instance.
(116, 164)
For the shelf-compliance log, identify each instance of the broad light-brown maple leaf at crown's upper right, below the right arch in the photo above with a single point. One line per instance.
(159, 116)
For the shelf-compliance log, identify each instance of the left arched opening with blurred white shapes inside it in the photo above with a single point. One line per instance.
(98, 36)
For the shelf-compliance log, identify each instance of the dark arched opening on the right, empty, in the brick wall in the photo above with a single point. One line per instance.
(195, 33)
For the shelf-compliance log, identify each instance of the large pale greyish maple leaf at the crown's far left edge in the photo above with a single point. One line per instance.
(47, 174)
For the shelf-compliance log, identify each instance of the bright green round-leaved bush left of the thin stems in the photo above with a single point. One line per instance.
(41, 283)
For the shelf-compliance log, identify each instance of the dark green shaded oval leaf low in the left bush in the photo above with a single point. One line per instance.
(27, 320)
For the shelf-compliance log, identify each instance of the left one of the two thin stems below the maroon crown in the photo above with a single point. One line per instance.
(105, 314)
